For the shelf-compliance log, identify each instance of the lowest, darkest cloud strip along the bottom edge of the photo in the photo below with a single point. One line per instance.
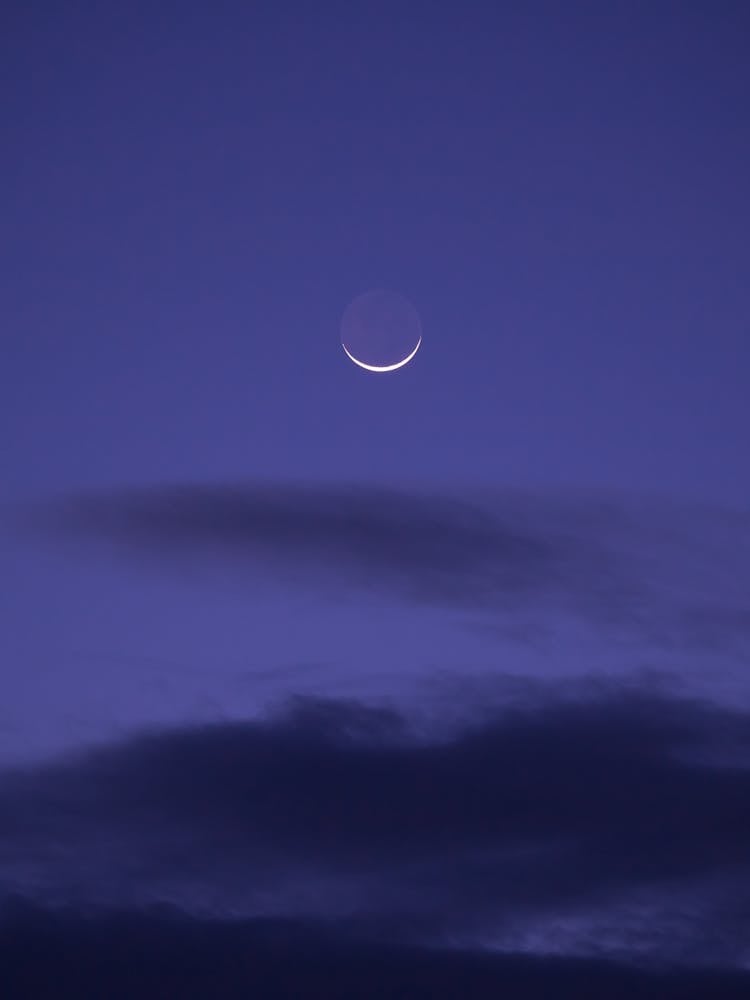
(153, 955)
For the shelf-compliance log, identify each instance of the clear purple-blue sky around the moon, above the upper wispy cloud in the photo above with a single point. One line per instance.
(189, 203)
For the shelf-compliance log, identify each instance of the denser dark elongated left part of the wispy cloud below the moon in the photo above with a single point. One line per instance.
(433, 548)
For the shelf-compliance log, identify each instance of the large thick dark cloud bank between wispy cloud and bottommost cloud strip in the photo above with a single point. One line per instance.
(613, 824)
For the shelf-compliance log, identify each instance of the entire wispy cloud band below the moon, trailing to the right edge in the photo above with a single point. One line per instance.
(643, 569)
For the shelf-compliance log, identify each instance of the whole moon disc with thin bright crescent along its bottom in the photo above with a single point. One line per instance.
(381, 331)
